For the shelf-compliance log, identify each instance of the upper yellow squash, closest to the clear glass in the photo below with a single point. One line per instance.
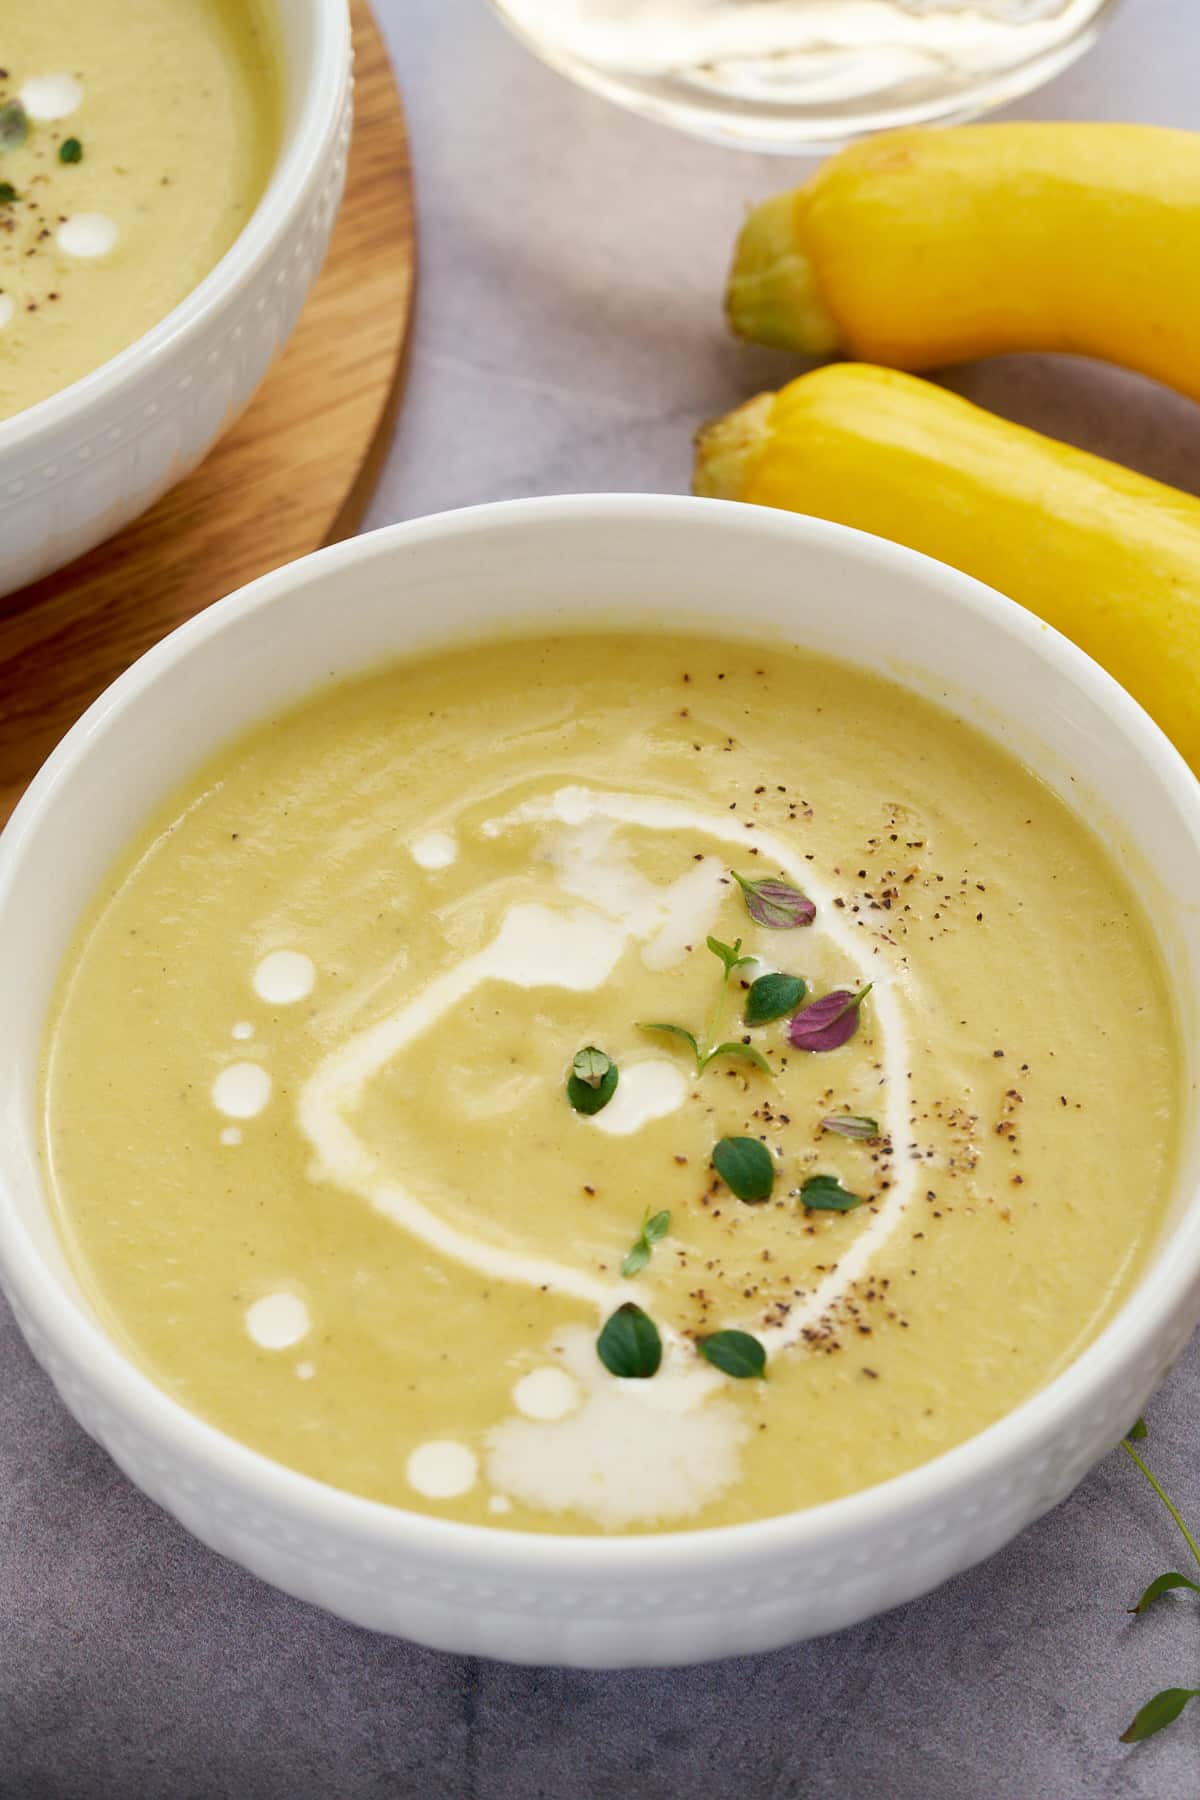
(929, 247)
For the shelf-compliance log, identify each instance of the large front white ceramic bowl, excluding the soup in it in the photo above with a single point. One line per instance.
(649, 561)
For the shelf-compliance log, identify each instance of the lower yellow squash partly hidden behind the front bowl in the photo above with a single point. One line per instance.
(1102, 553)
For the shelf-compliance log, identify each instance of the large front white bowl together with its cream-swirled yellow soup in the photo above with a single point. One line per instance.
(568, 1117)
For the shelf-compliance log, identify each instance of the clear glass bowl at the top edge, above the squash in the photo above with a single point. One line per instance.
(800, 76)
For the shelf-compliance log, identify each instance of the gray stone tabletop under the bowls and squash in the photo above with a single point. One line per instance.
(569, 337)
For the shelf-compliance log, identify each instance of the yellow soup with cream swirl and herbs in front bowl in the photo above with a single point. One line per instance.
(611, 1084)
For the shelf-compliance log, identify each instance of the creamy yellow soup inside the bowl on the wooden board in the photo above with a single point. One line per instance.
(136, 141)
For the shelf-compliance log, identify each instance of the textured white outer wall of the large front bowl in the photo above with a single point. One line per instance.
(721, 1603)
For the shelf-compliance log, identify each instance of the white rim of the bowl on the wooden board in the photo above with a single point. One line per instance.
(296, 170)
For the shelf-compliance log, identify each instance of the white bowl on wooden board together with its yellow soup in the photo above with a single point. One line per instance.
(168, 183)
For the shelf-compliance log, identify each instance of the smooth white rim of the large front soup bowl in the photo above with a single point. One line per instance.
(327, 1509)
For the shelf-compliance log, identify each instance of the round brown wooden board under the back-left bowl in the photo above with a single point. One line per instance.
(294, 474)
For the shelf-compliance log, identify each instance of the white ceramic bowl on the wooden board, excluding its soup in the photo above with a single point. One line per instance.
(89, 460)
